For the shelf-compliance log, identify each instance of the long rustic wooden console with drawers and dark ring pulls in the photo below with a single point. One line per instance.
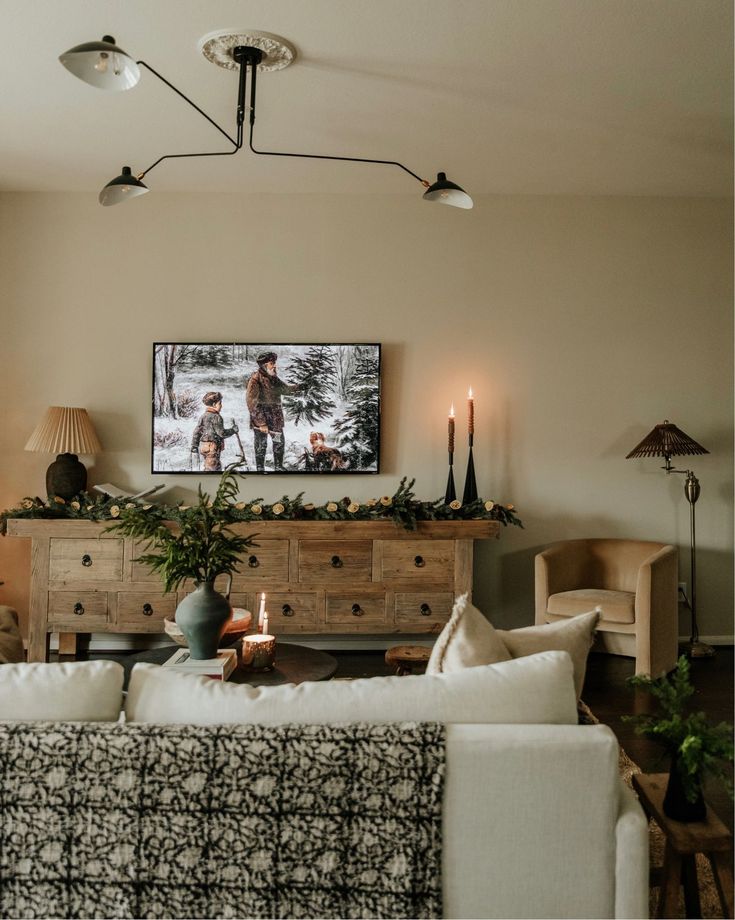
(321, 577)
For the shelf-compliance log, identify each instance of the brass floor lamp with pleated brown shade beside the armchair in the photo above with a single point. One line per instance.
(668, 441)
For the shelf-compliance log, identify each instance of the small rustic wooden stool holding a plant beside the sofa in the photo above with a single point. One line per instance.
(683, 840)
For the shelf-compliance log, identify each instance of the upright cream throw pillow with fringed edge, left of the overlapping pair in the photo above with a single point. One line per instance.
(467, 640)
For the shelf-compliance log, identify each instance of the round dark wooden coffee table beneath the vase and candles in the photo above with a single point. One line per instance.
(294, 665)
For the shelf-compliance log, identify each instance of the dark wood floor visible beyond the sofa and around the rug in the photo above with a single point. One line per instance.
(607, 695)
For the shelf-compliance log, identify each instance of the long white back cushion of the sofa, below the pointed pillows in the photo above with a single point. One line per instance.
(538, 689)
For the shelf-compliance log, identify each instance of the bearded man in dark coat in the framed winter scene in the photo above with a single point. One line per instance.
(263, 395)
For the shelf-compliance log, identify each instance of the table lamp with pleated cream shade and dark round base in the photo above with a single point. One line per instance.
(67, 432)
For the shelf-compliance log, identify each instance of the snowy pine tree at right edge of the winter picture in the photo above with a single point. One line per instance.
(358, 428)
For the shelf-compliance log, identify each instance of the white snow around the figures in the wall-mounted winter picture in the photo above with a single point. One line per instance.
(172, 437)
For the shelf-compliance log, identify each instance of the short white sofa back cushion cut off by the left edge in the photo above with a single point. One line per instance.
(78, 691)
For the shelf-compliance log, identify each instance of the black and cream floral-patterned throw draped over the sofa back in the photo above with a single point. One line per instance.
(108, 820)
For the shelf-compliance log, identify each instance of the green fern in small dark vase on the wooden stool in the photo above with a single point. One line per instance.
(696, 746)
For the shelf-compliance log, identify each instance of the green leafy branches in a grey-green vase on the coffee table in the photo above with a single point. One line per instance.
(194, 543)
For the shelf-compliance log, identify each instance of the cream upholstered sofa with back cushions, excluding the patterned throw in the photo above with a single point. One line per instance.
(535, 819)
